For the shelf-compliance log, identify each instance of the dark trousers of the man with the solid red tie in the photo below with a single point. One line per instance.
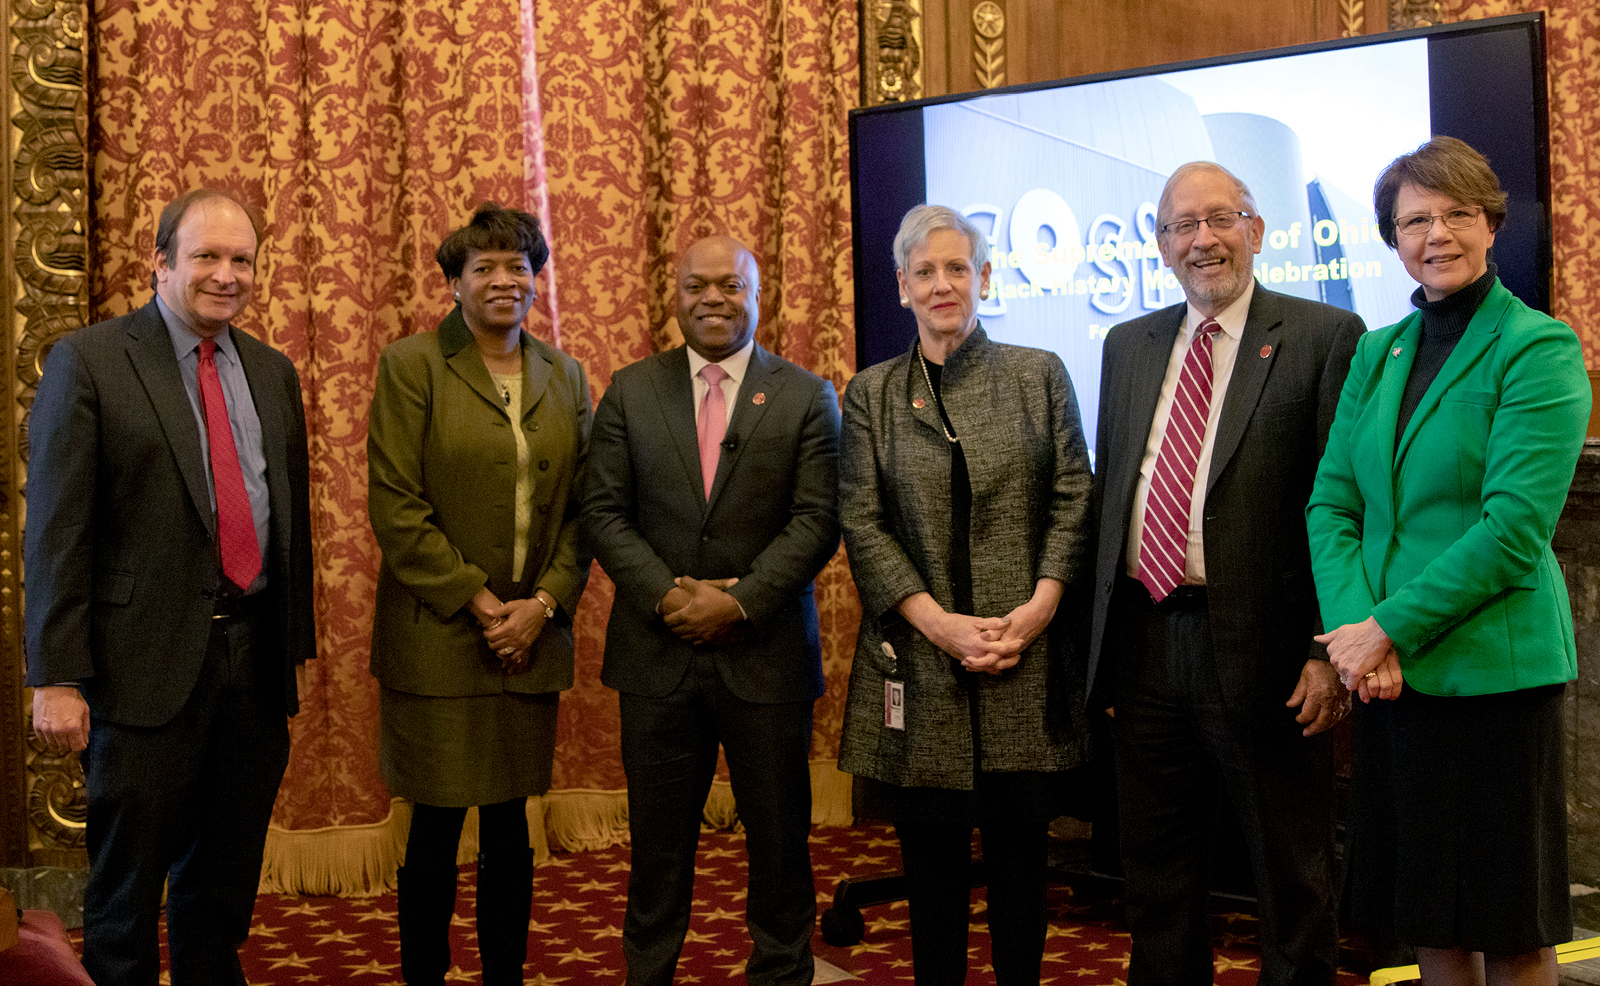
(186, 804)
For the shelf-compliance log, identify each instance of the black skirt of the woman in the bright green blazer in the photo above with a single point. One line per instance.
(1458, 832)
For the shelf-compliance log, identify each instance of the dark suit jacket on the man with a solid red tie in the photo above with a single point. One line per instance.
(121, 543)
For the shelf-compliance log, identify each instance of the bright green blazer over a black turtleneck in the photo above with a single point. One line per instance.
(1446, 540)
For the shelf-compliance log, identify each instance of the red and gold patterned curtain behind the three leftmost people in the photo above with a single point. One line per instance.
(366, 130)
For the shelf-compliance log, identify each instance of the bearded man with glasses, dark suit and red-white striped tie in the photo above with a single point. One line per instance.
(1212, 420)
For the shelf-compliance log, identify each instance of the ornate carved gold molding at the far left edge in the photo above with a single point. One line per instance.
(47, 295)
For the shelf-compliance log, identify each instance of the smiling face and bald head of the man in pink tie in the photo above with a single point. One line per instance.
(719, 297)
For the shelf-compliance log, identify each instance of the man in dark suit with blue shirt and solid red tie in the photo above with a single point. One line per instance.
(169, 598)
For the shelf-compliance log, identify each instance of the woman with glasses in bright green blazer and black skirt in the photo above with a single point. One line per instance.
(1431, 523)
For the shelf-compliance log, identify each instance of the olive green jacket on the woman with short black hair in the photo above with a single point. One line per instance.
(441, 495)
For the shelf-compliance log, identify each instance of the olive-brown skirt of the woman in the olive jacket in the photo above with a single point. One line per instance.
(457, 753)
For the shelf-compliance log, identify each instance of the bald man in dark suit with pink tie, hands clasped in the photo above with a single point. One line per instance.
(711, 502)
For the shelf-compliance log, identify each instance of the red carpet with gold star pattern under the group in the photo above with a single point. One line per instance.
(577, 936)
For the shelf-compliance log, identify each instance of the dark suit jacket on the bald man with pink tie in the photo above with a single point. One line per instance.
(772, 521)
